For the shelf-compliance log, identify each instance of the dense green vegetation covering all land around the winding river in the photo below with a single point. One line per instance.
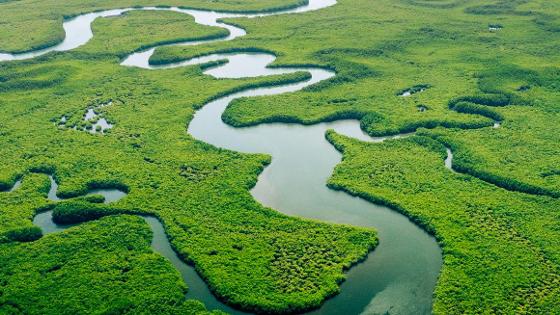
(468, 64)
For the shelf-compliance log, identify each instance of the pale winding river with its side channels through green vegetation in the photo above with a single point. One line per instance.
(397, 278)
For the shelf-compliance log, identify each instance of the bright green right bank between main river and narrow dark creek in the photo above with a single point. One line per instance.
(499, 254)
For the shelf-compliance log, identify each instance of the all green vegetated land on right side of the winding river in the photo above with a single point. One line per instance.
(492, 237)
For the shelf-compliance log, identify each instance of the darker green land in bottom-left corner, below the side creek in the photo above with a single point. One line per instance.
(106, 266)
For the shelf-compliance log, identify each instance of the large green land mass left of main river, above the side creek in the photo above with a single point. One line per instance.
(250, 256)
